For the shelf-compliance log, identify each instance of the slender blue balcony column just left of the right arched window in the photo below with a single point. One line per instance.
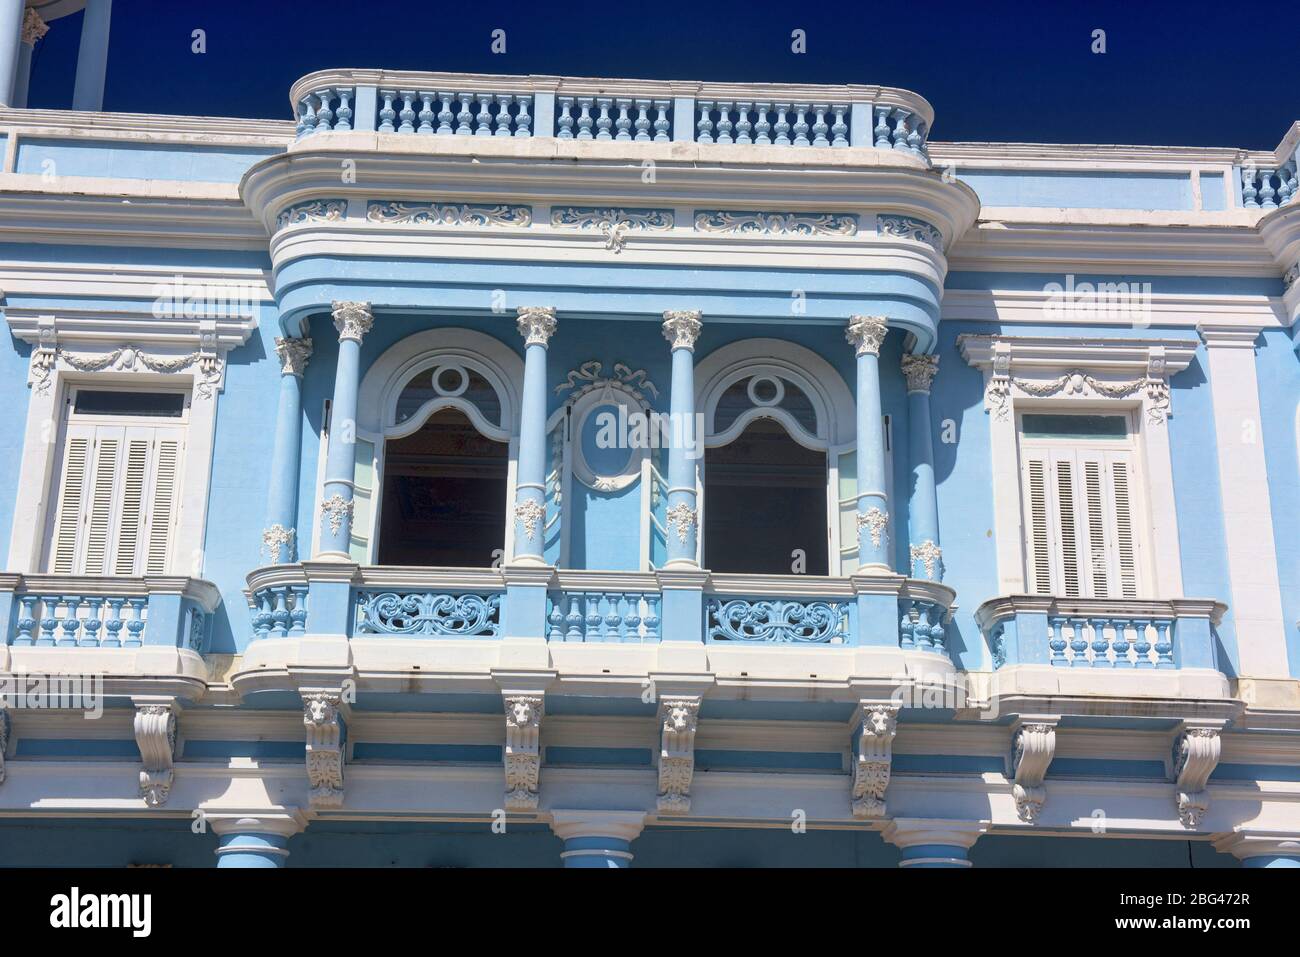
(682, 328)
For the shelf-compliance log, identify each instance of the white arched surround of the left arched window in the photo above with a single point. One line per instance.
(383, 384)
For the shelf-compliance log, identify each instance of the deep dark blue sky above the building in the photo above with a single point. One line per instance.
(1189, 73)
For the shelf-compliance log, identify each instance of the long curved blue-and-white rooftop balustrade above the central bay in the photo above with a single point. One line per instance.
(452, 105)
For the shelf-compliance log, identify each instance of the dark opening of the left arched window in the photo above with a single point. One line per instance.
(444, 497)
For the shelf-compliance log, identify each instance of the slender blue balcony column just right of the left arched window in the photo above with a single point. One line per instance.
(538, 326)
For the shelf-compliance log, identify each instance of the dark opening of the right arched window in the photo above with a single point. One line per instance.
(766, 504)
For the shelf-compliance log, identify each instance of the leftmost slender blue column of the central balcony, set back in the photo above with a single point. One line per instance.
(279, 538)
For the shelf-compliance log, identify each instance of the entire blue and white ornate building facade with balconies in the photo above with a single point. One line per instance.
(538, 471)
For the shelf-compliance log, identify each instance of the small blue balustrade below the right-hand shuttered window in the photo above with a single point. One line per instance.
(1102, 633)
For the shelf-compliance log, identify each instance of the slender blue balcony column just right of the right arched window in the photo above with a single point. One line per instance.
(866, 335)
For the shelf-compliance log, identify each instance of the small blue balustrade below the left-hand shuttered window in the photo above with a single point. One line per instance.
(84, 612)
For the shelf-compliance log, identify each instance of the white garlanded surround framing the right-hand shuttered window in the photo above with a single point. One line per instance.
(1030, 374)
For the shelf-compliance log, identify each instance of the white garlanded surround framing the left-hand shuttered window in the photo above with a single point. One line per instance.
(193, 360)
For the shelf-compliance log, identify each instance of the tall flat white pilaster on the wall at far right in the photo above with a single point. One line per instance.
(1255, 590)
